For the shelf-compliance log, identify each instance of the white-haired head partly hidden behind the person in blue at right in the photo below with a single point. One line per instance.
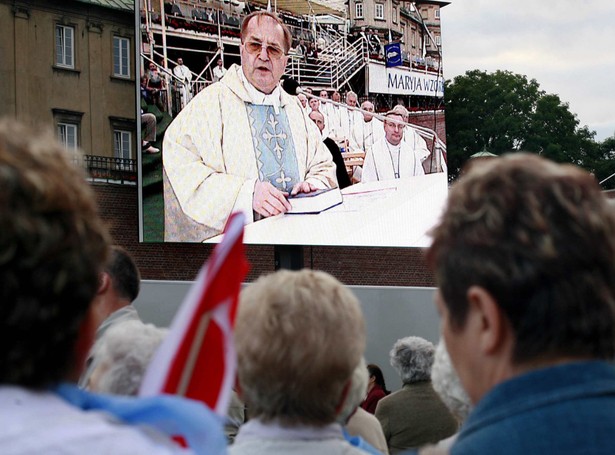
(447, 385)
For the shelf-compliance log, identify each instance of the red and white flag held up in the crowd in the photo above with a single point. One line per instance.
(197, 359)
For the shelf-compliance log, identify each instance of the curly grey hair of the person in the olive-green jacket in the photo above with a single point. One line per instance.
(412, 358)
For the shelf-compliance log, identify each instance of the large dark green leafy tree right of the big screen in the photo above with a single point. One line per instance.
(504, 112)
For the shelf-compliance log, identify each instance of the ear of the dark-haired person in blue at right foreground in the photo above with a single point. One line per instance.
(493, 328)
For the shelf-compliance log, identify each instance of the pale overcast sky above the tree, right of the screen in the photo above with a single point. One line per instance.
(567, 46)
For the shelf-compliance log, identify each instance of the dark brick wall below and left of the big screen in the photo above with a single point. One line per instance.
(176, 261)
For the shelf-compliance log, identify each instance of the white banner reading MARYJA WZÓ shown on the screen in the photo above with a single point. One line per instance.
(402, 81)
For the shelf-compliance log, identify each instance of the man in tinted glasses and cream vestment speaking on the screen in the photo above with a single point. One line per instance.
(242, 144)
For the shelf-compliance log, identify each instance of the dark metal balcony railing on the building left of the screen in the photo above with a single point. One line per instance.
(119, 171)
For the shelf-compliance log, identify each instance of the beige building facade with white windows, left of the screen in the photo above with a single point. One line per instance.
(70, 65)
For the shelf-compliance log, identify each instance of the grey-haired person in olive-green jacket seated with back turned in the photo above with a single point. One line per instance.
(414, 415)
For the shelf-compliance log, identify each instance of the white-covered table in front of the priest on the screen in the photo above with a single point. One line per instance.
(394, 213)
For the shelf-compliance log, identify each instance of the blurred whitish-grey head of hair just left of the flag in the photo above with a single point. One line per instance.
(122, 356)
